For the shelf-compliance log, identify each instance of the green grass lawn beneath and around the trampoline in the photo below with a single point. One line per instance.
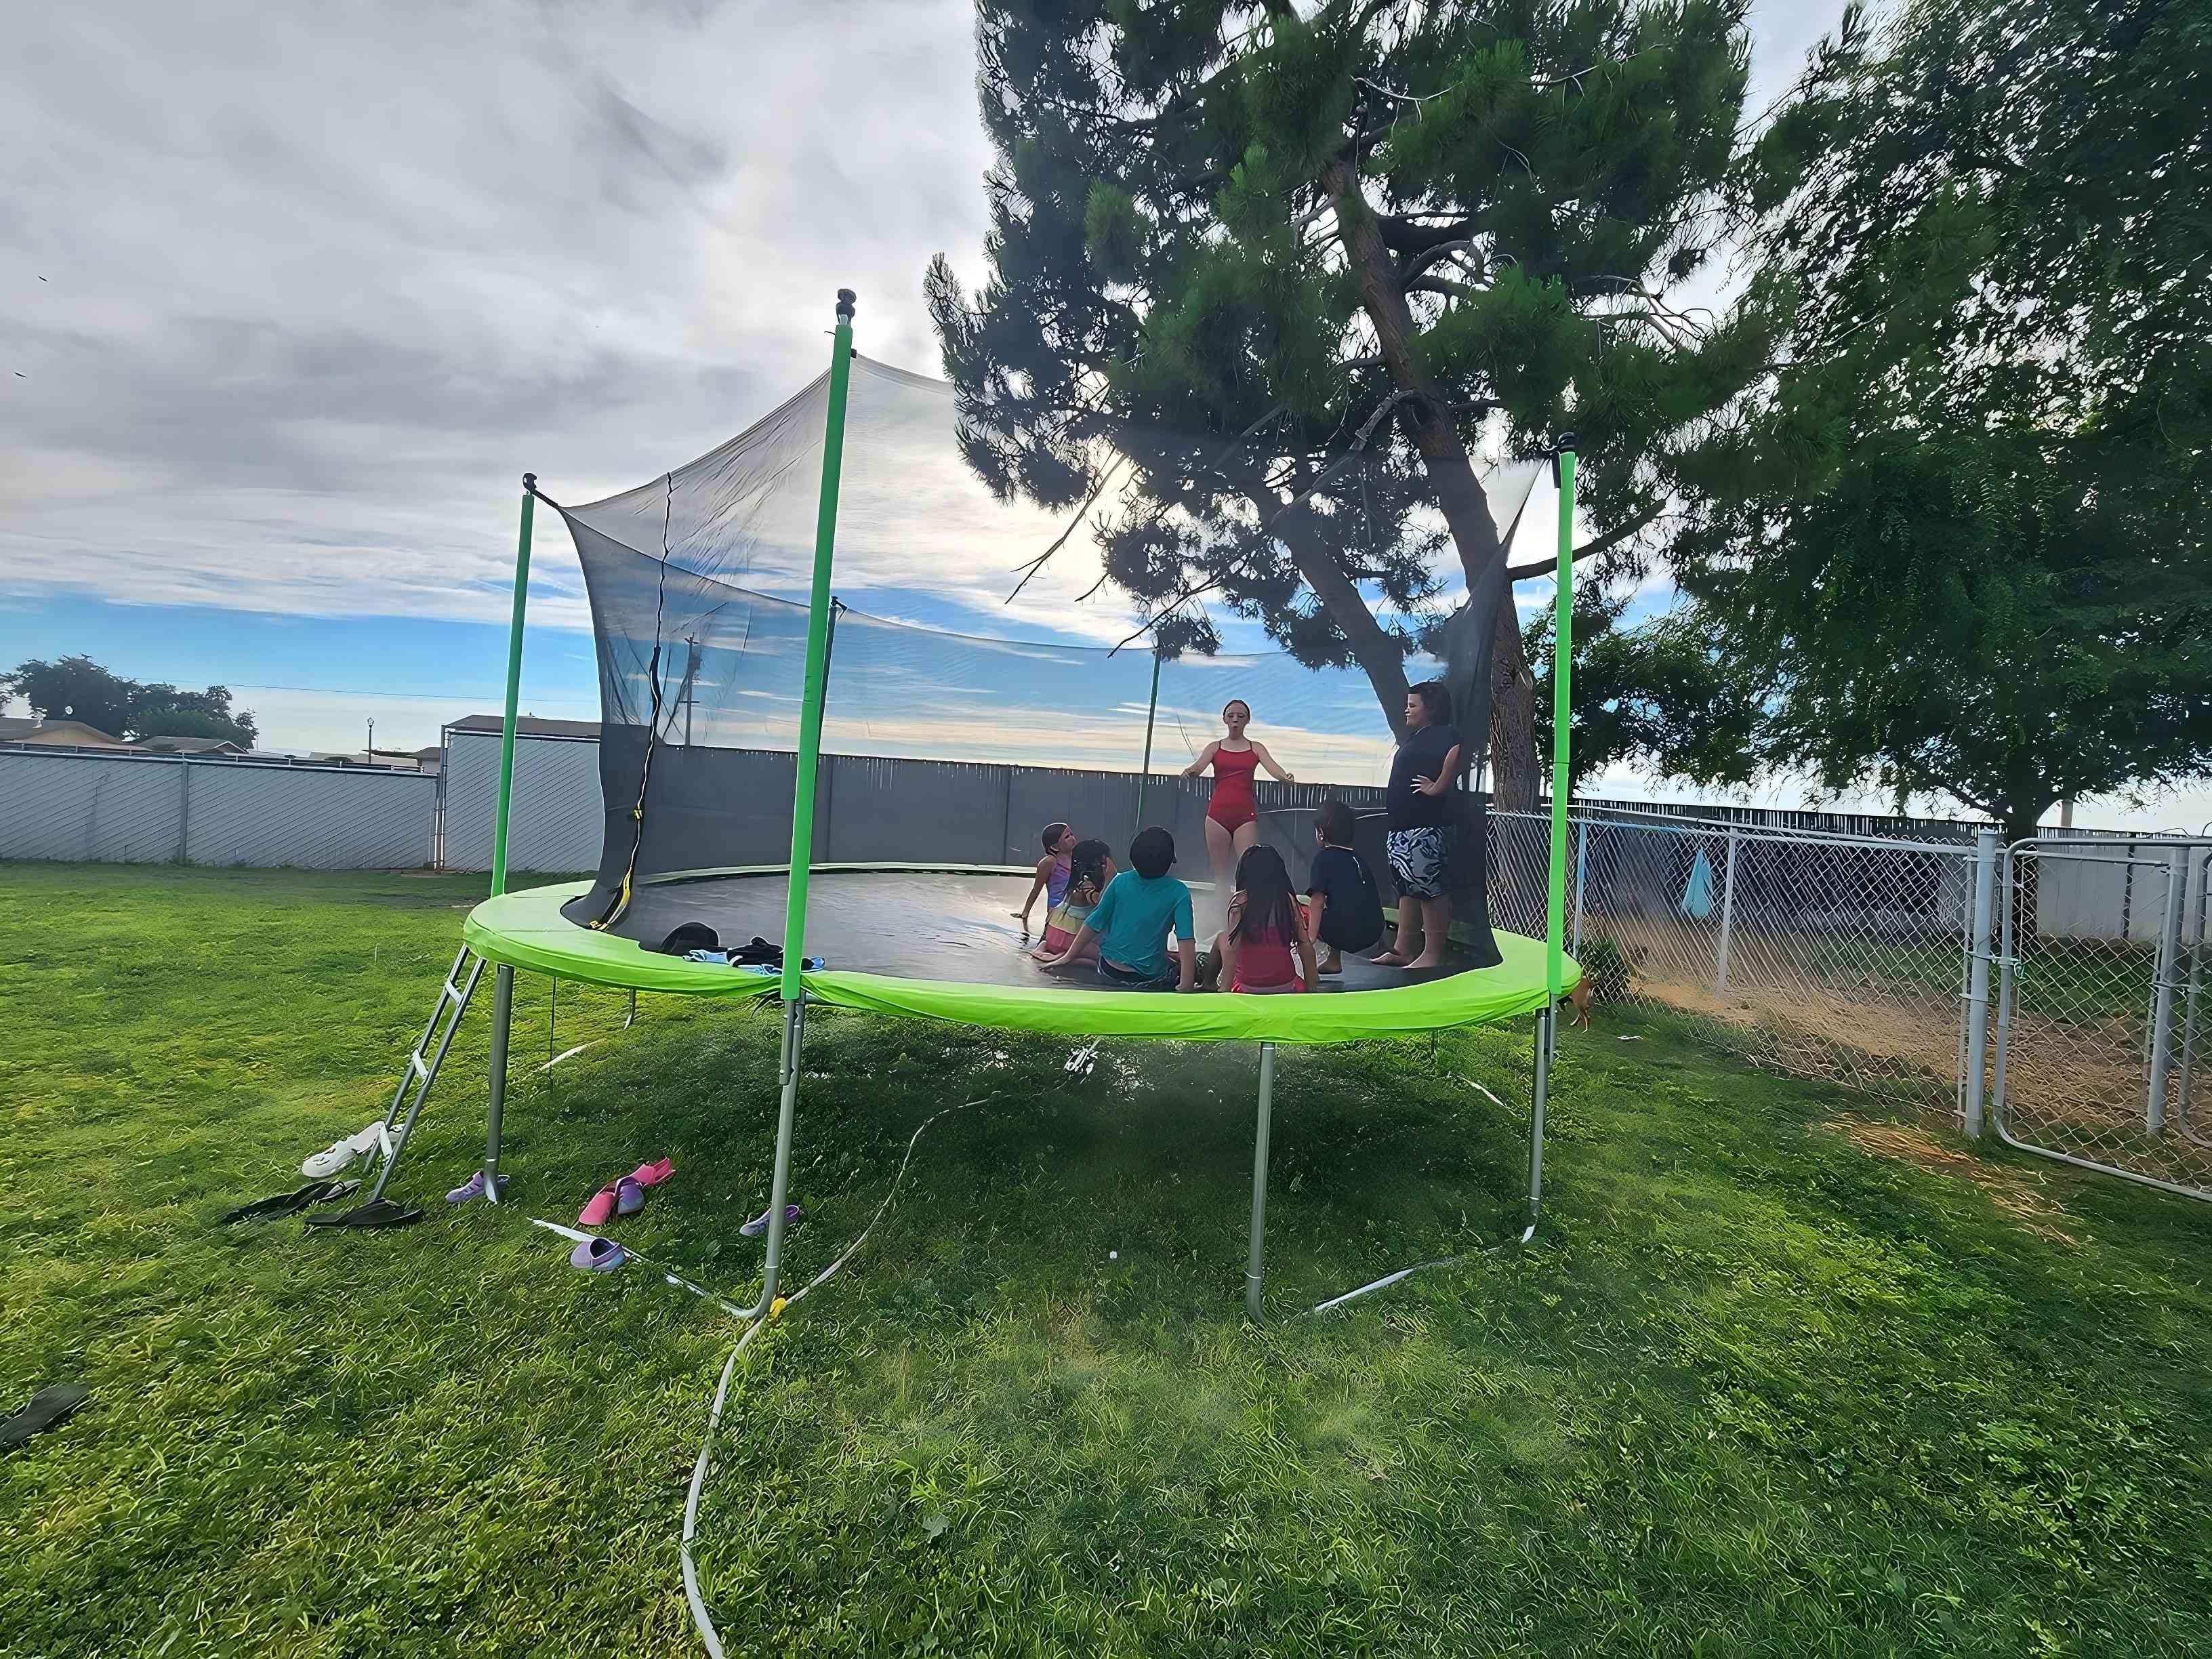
(1786, 1375)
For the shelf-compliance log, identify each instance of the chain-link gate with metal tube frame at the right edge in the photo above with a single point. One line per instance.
(2103, 1008)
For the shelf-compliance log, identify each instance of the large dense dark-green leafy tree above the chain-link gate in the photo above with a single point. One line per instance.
(1963, 525)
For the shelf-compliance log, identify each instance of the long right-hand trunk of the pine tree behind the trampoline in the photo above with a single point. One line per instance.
(1426, 415)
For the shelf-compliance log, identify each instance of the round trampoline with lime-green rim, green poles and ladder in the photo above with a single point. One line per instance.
(689, 660)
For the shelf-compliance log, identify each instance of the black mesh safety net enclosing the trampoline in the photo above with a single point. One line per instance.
(937, 747)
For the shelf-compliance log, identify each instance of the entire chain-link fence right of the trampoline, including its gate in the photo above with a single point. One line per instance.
(2067, 981)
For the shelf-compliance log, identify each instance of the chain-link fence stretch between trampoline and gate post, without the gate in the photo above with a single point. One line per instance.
(1828, 957)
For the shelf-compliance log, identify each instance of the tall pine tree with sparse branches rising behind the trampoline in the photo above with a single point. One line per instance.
(1266, 282)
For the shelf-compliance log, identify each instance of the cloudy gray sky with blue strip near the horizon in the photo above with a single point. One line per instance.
(293, 295)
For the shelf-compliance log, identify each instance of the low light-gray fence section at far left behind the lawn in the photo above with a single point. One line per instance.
(176, 811)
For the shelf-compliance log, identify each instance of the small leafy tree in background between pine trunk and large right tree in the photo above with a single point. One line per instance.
(1669, 696)
